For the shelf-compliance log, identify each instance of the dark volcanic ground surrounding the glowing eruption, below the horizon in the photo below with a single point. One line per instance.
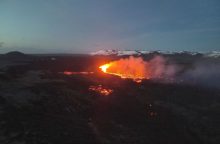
(41, 105)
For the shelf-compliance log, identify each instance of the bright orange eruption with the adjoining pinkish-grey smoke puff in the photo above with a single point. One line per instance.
(137, 69)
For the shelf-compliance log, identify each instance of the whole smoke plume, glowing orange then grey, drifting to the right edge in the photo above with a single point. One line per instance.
(206, 73)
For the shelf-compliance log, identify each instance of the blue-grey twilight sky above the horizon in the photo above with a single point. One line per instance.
(79, 26)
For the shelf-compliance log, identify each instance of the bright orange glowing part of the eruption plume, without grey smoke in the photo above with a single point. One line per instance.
(132, 68)
